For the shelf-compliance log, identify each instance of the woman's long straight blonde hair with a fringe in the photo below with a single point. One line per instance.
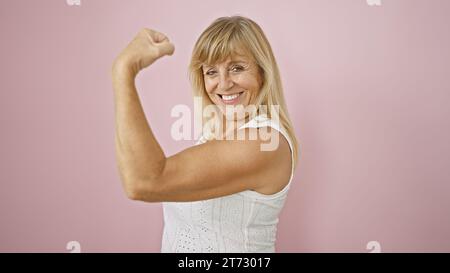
(225, 37)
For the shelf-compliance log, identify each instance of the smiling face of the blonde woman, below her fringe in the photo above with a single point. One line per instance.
(236, 81)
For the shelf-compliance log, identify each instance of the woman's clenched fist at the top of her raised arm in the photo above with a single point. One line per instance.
(148, 46)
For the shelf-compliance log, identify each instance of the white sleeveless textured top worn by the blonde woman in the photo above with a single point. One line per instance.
(242, 222)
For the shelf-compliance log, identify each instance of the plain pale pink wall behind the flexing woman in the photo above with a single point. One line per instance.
(367, 88)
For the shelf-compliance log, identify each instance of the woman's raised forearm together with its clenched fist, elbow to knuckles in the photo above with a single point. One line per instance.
(137, 150)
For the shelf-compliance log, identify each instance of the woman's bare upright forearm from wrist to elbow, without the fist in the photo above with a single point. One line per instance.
(139, 156)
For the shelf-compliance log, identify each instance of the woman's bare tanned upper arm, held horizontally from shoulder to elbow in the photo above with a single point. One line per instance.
(218, 168)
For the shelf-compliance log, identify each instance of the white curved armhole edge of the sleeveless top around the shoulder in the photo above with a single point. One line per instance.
(270, 123)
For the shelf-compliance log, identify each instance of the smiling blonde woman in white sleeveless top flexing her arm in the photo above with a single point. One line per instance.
(221, 195)
